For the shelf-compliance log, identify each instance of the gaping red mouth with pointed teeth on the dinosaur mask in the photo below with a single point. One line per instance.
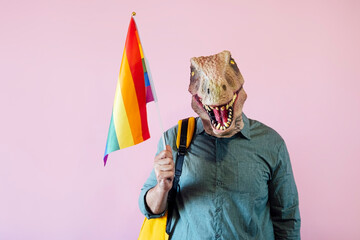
(221, 116)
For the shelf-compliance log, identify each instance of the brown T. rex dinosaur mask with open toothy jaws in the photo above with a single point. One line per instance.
(218, 96)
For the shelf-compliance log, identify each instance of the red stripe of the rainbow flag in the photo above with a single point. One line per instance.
(137, 72)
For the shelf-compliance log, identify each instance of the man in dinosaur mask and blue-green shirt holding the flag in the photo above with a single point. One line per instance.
(237, 181)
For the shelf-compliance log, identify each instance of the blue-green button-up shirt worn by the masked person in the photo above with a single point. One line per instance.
(240, 187)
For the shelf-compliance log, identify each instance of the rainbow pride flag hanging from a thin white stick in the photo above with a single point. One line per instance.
(128, 124)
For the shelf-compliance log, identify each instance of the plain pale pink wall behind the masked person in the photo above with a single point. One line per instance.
(59, 62)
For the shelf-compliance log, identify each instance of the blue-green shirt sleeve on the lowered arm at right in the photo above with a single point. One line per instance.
(283, 198)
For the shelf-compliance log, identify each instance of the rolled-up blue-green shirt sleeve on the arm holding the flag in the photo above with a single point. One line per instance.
(149, 184)
